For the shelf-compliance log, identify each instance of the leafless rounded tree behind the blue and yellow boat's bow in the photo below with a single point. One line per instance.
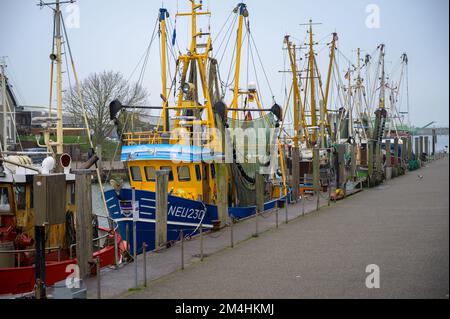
(97, 91)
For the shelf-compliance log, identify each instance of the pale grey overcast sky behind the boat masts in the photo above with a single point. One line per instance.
(113, 35)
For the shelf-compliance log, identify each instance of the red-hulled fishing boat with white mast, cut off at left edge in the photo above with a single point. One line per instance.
(18, 232)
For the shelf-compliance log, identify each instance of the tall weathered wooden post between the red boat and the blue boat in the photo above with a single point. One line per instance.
(83, 202)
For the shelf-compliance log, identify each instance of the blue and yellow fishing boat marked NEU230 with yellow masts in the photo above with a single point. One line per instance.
(188, 145)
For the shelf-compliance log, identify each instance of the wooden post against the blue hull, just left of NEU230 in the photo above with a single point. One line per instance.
(162, 181)
